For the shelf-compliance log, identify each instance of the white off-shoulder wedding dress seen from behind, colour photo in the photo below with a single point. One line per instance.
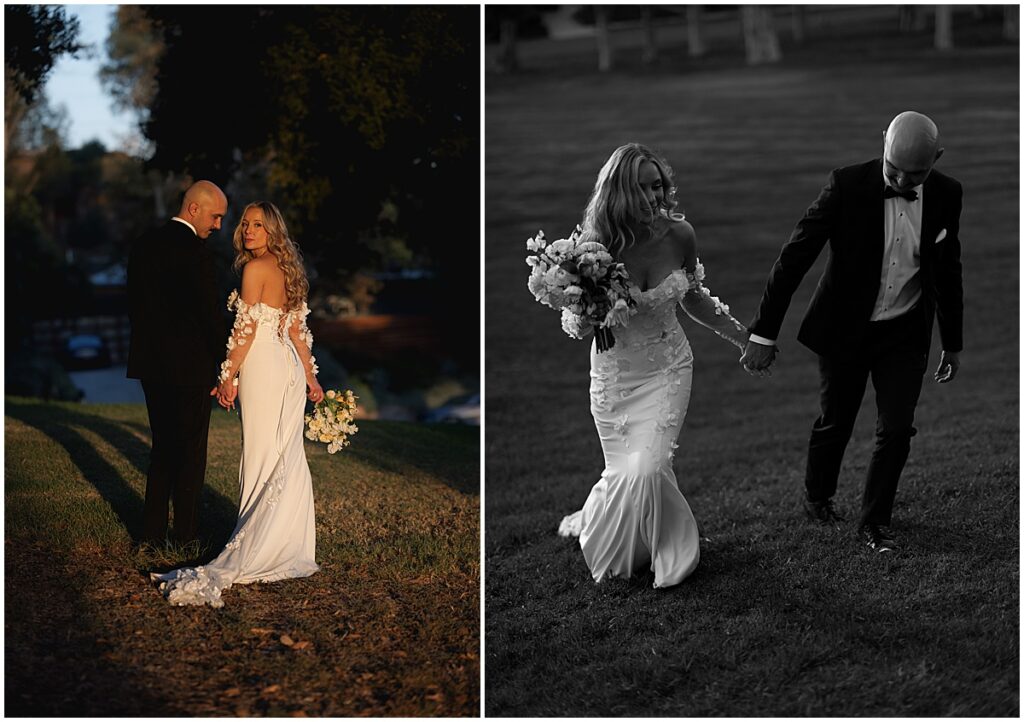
(276, 536)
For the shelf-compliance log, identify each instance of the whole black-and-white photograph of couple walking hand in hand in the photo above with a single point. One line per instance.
(752, 334)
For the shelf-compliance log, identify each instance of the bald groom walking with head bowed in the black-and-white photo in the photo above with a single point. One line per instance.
(892, 226)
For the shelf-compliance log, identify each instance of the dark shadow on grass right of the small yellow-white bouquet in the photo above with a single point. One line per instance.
(450, 453)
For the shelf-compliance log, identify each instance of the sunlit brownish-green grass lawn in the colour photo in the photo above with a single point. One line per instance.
(390, 626)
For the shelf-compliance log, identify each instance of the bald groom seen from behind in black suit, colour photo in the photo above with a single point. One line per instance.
(178, 341)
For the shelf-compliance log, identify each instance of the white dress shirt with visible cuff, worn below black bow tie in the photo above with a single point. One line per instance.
(901, 288)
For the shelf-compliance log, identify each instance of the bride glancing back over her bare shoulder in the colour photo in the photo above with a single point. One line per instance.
(269, 367)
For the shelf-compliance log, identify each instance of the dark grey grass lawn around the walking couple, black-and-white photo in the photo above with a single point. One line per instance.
(782, 618)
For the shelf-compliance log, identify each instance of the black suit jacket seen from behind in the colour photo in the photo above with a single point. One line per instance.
(178, 330)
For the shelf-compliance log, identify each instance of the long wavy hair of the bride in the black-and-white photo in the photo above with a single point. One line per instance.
(615, 205)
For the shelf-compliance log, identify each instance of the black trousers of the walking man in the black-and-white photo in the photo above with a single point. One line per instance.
(894, 356)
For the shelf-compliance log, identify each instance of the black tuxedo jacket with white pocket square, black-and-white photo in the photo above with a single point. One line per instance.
(849, 216)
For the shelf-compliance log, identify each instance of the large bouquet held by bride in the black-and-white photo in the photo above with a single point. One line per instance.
(584, 282)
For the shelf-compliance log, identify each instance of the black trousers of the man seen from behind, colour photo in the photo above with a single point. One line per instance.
(180, 420)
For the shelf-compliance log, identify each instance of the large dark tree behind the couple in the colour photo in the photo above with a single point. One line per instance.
(360, 122)
